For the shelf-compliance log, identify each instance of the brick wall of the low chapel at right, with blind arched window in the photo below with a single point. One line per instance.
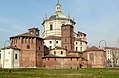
(96, 59)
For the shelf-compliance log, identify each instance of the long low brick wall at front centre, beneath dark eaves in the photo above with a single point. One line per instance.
(62, 62)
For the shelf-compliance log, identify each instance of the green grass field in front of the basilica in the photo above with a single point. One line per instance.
(61, 73)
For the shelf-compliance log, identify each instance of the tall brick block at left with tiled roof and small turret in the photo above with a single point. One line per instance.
(31, 48)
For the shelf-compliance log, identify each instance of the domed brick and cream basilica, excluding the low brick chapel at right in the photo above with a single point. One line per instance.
(59, 47)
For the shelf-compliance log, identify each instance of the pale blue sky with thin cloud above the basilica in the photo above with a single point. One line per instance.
(99, 19)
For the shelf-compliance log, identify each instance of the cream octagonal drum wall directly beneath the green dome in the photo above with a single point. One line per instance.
(56, 27)
